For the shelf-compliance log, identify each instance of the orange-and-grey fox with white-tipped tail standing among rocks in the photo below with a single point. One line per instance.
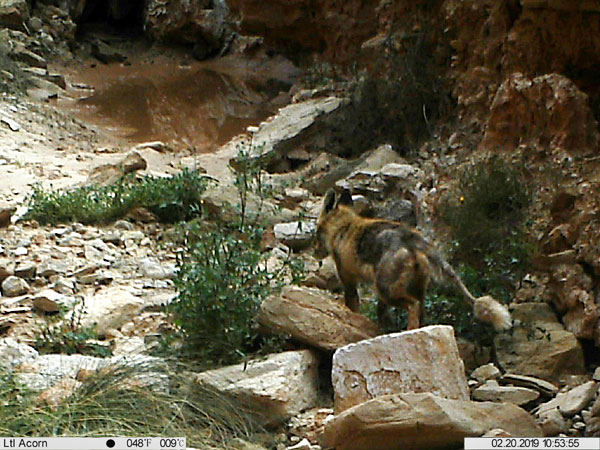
(396, 258)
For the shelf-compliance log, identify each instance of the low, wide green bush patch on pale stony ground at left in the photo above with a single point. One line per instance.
(171, 199)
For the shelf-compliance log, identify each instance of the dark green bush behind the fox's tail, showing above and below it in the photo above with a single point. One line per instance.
(486, 216)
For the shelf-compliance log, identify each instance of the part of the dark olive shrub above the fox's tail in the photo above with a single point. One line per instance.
(486, 218)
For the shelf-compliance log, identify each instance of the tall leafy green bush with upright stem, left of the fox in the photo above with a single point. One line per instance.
(223, 277)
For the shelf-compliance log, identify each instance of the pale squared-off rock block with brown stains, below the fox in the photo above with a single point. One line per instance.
(421, 360)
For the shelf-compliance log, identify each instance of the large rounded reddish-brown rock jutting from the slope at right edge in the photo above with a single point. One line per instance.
(546, 111)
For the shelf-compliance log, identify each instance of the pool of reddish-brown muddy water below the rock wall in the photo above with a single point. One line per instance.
(195, 106)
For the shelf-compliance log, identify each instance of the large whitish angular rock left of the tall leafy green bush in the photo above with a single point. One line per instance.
(109, 308)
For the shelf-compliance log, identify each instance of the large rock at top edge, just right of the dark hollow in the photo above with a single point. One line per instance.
(201, 23)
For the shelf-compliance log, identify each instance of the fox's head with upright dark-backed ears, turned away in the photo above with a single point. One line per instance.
(336, 210)
